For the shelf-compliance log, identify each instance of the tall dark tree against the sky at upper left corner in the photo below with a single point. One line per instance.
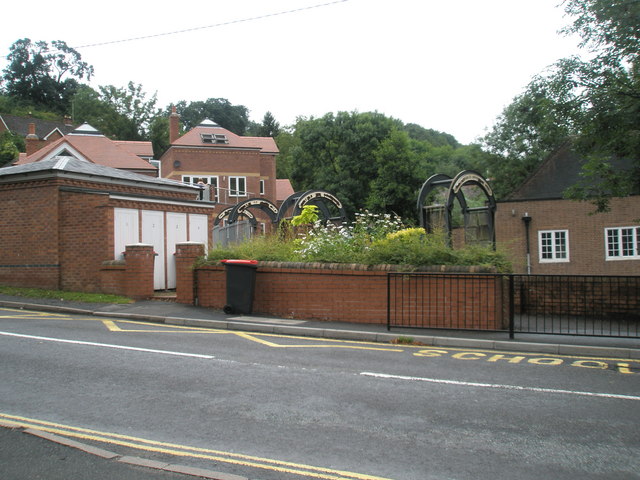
(36, 74)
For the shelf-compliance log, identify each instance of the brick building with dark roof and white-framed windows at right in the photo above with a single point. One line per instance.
(547, 234)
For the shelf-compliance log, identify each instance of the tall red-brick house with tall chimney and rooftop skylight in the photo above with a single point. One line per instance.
(235, 167)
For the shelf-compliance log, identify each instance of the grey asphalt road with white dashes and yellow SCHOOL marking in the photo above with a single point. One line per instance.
(275, 407)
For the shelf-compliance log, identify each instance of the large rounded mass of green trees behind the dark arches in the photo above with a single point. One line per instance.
(368, 160)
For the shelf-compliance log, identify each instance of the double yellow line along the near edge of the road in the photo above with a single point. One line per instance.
(183, 450)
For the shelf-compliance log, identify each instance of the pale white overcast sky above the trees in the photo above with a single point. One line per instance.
(448, 65)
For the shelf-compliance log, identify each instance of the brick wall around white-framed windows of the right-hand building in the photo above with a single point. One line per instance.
(586, 234)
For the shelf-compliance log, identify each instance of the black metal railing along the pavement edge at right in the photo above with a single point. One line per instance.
(543, 304)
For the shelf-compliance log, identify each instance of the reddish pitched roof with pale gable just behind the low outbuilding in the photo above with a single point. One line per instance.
(88, 144)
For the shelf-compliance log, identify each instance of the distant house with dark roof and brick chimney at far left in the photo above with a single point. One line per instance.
(36, 132)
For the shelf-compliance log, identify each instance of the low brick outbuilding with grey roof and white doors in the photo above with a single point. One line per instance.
(65, 223)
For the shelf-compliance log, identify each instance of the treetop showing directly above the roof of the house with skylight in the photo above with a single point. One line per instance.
(234, 118)
